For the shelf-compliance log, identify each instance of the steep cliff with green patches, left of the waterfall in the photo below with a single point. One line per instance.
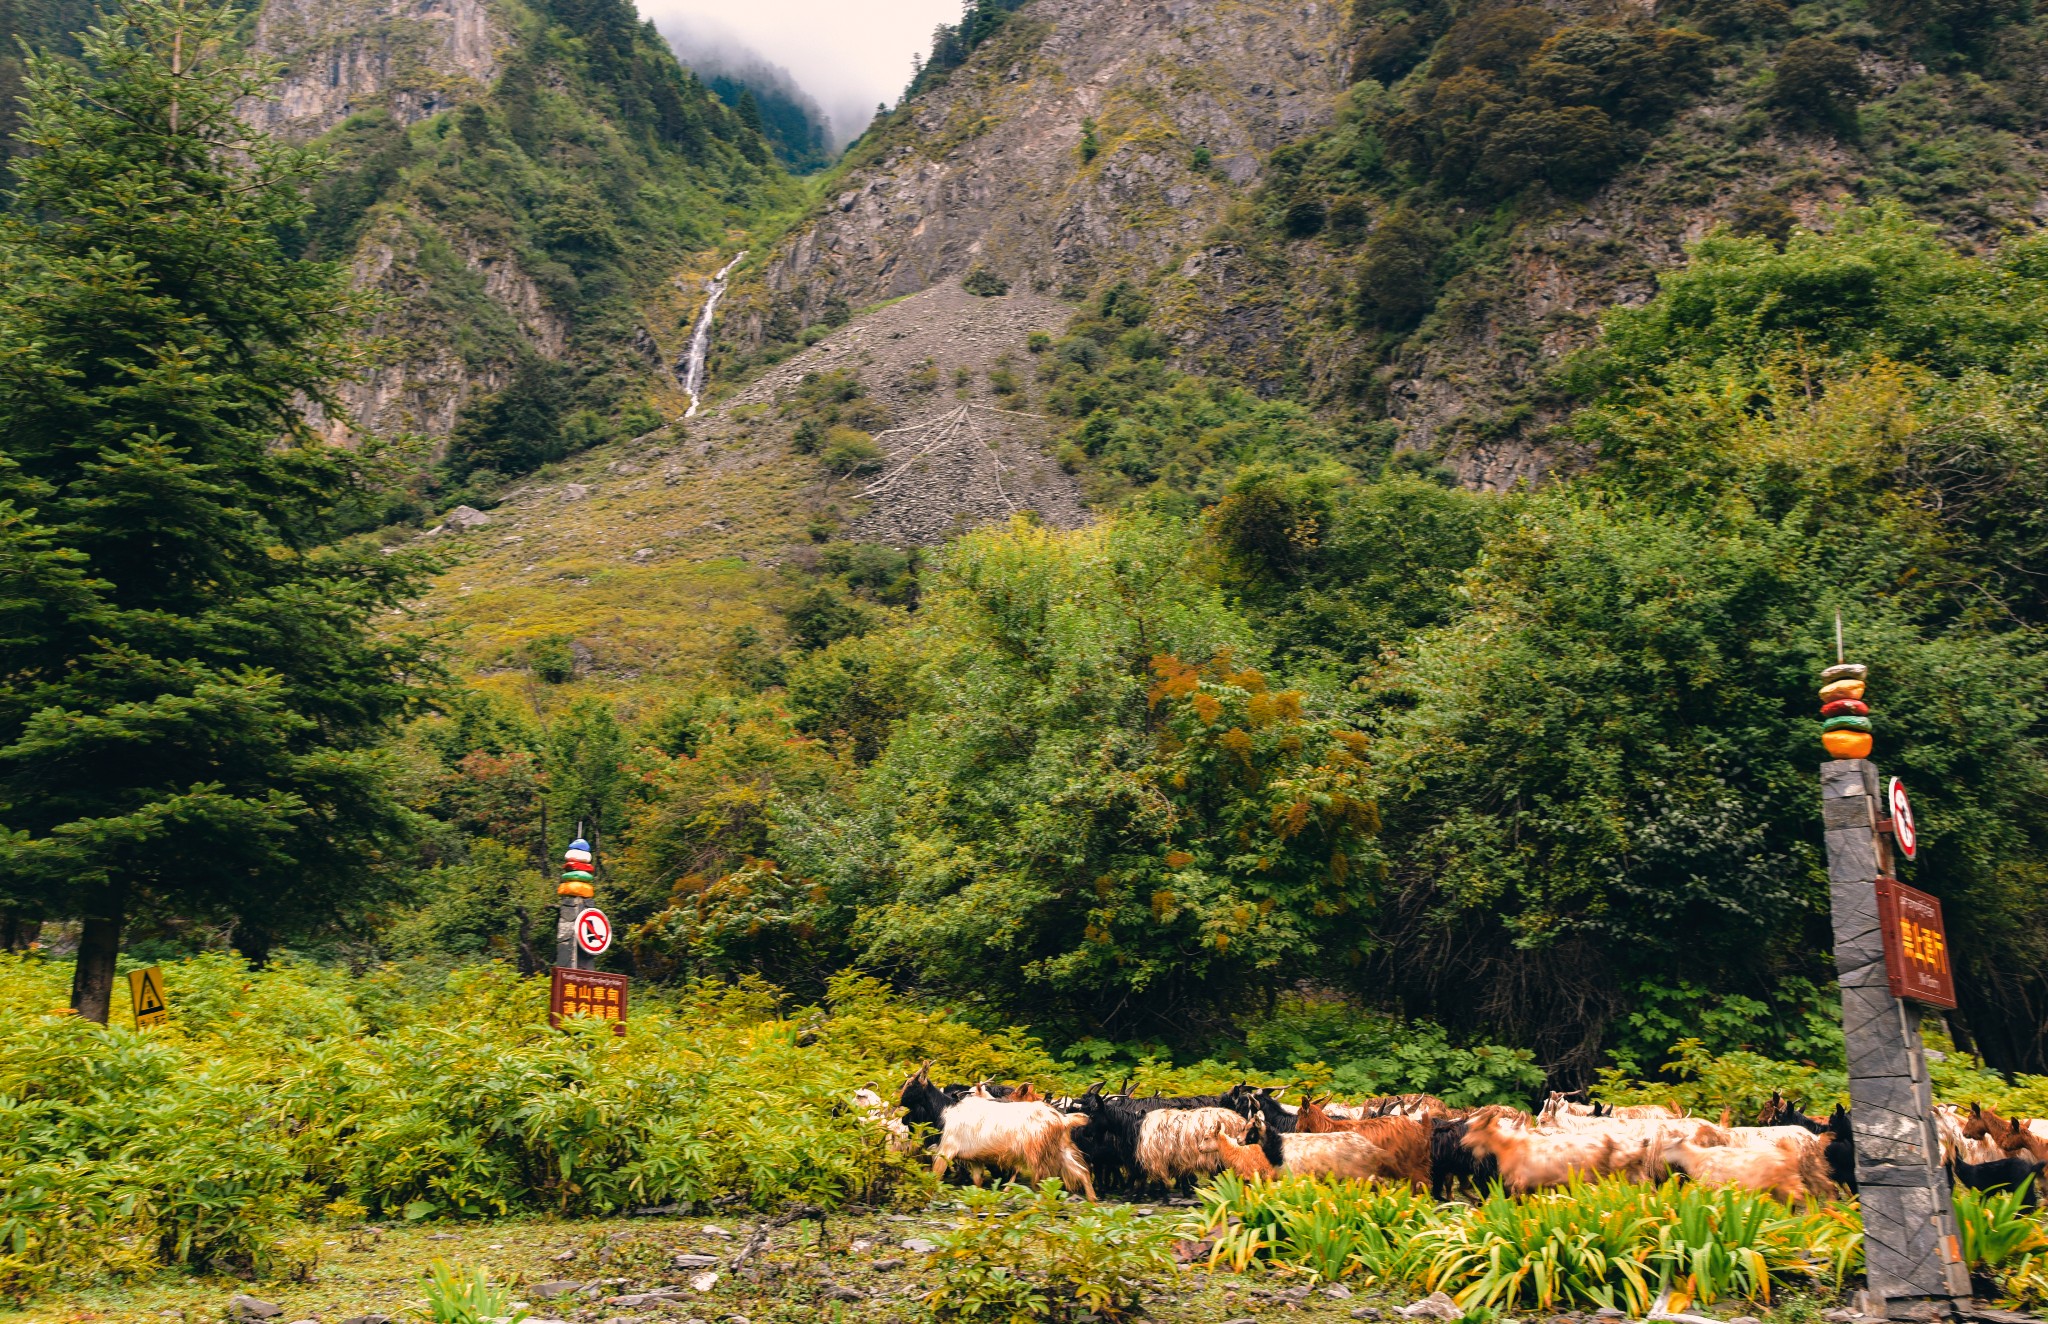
(521, 181)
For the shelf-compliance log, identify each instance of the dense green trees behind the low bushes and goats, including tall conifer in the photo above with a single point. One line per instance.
(1523, 770)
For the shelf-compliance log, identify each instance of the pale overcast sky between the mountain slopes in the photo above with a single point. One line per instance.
(849, 54)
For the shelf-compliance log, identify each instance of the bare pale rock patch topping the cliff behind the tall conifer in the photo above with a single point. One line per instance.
(409, 58)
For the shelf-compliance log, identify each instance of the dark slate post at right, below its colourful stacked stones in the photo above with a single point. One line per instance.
(1910, 1223)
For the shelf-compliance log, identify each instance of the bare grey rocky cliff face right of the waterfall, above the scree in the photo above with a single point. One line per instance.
(1084, 140)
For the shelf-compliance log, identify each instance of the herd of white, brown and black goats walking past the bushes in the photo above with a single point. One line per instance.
(1121, 1143)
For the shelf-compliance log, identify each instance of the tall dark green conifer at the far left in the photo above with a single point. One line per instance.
(194, 686)
